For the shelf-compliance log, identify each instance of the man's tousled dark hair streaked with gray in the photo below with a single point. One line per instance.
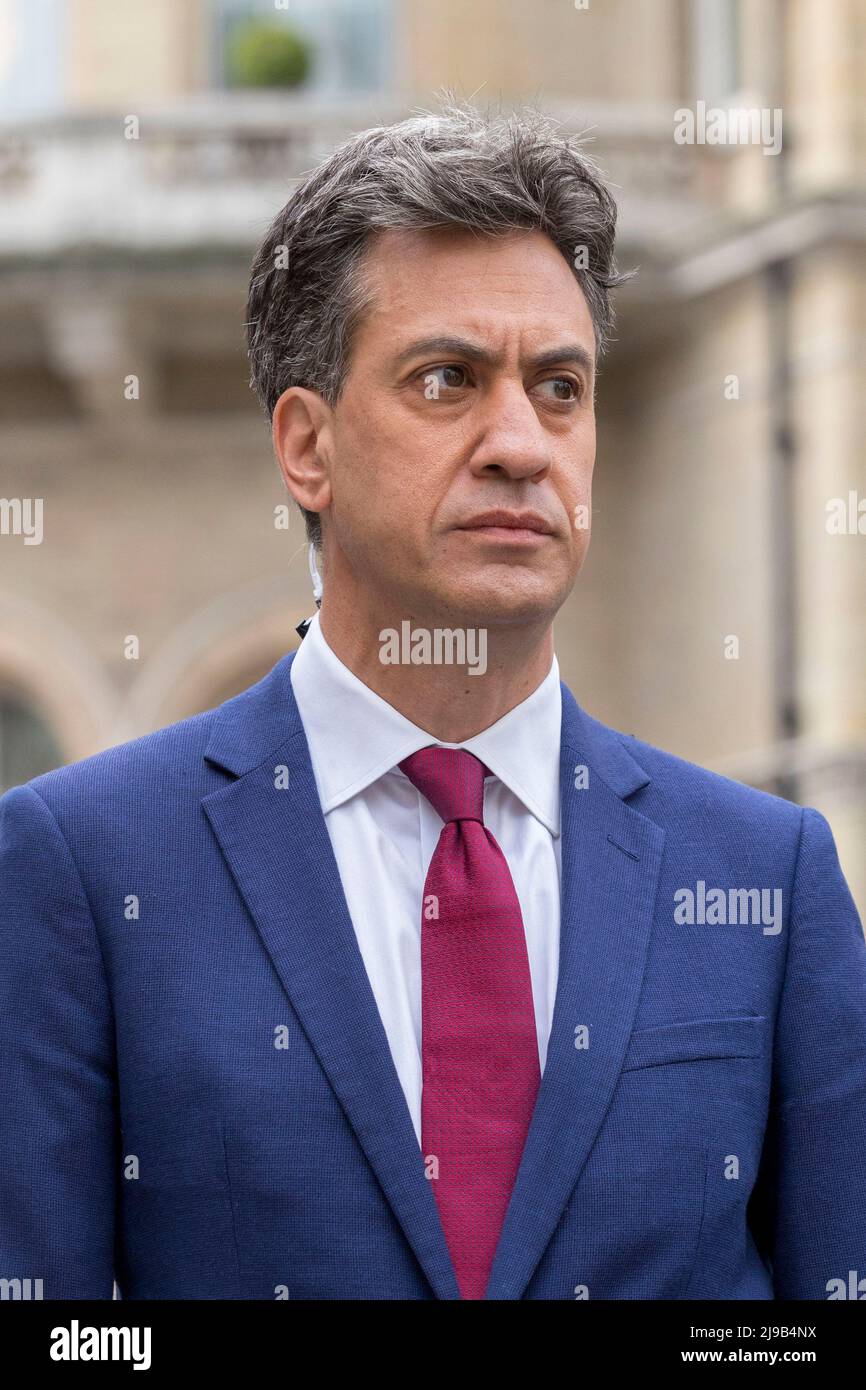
(491, 174)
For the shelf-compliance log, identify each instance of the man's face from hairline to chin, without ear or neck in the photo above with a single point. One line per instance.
(471, 390)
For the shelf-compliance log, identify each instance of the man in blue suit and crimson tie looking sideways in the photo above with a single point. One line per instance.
(400, 976)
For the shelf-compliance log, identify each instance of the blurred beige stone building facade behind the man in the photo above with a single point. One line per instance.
(722, 612)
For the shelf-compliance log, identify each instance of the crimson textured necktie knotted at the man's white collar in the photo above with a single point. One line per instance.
(479, 1042)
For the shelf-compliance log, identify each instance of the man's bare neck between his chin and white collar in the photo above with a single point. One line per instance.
(443, 698)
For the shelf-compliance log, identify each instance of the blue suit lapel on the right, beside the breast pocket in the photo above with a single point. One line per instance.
(611, 861)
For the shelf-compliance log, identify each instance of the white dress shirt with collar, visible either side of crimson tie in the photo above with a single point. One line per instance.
(384, 833)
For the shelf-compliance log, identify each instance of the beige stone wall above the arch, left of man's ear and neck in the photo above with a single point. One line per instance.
(165, 534)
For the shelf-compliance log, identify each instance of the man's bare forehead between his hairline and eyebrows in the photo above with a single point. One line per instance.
(451, 277)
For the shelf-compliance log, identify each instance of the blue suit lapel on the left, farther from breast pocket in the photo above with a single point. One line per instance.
(279, 850)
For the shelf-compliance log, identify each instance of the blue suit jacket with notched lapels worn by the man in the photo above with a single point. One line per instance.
(197, 1092)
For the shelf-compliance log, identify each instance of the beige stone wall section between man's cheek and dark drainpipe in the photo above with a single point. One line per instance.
(679, 559)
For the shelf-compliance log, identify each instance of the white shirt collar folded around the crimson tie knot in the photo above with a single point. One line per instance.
(355, 737)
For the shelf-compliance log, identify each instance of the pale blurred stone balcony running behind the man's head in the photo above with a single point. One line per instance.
(212, 174)
